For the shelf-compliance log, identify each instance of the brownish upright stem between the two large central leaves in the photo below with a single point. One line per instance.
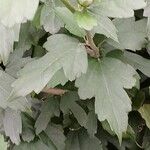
(92, 44)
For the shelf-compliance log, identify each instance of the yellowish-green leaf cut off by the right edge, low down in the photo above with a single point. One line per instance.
(145, 113)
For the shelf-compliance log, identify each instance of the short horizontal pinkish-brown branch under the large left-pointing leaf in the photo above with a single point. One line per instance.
(54, 91)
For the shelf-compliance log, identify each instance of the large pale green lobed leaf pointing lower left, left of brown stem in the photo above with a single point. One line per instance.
(69, 54)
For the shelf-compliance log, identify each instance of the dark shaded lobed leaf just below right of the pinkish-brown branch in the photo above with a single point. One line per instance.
(68, 103)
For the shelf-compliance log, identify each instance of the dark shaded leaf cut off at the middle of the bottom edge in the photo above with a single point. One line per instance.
(80, 140)
